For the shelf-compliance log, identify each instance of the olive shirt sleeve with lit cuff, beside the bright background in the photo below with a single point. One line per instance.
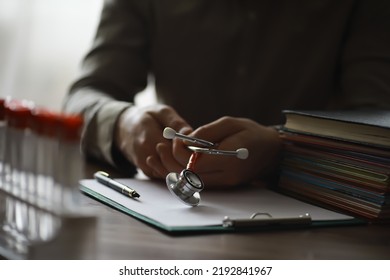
(113, 72)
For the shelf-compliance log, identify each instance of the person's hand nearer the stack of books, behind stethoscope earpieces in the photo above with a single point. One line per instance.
(263, 144)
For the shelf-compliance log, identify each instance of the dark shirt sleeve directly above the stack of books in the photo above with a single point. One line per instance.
(365, 71)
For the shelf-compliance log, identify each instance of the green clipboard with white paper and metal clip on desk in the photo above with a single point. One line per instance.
(249, 208)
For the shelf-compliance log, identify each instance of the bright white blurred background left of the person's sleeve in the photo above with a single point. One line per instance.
(42, 43)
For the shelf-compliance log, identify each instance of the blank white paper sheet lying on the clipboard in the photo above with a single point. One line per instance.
(157, 203)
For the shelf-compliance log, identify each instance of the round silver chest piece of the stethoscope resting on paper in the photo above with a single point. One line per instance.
(185, 186)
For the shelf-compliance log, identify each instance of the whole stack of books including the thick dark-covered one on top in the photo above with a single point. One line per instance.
(339, 160)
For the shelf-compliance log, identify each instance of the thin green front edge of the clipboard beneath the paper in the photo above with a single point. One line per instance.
(179, 230)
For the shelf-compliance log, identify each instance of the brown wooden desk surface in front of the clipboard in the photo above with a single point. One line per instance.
(120, 236)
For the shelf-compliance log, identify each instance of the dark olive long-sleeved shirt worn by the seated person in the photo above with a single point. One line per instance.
(242, 58)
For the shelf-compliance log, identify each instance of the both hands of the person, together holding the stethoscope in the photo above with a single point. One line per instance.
(140, 138)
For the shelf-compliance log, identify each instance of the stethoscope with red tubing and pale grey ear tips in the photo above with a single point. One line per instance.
(187, 185)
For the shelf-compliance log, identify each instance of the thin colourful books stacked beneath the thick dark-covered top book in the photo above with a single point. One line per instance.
(340, 175)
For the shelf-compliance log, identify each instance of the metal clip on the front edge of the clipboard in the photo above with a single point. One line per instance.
(266, 219)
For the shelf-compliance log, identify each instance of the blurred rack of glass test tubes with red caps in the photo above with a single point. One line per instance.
(40, 213)
